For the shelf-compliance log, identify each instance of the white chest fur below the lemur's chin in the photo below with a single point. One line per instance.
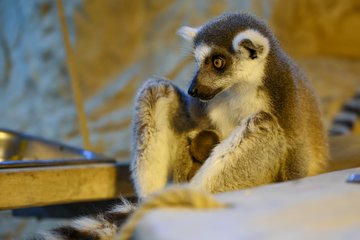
(228, 109)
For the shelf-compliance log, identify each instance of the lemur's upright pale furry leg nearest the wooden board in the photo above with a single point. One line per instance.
(155, 135)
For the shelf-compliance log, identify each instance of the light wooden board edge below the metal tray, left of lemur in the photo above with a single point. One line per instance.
(53, 185)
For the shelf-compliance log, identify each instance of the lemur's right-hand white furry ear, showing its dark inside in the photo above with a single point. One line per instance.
(251, 44)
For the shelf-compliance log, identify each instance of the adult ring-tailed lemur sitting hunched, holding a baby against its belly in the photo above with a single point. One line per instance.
(246, 89)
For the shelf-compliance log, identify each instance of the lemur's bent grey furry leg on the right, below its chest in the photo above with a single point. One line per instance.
(250, 156)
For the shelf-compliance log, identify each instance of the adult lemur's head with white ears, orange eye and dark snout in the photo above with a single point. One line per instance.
(229, 50)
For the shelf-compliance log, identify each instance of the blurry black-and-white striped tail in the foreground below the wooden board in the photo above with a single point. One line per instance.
(101, 227)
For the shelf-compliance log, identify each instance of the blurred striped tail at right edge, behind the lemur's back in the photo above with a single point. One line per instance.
(345, 121)
